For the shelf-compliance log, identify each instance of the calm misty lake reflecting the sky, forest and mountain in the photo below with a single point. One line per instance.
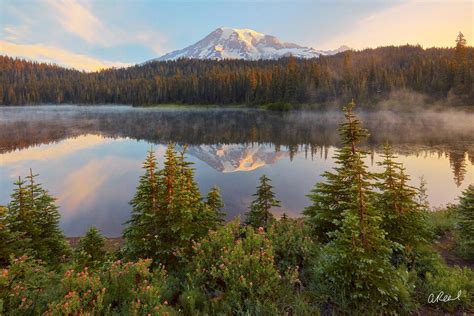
(89, 157)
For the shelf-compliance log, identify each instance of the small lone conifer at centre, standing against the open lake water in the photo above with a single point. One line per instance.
(260, 214)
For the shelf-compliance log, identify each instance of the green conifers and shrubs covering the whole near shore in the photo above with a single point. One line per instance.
(362, 247)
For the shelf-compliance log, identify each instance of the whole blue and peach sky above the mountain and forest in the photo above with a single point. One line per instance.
(96, 34)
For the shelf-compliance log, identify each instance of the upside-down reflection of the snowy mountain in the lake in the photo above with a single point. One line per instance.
(236, 157)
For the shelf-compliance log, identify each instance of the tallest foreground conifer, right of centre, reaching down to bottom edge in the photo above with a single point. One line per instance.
(355, 269)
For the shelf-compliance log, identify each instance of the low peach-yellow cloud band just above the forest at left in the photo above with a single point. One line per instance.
(50, 54)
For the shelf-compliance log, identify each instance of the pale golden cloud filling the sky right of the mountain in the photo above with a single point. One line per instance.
(428, 23)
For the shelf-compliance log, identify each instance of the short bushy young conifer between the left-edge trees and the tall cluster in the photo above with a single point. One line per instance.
(90, 251)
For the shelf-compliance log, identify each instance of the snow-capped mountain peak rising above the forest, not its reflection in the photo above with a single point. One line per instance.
(230, 43)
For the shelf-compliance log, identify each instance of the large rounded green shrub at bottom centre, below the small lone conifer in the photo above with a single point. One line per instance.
(233, 271)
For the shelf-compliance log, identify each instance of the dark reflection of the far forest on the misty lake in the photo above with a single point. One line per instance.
(426, 132)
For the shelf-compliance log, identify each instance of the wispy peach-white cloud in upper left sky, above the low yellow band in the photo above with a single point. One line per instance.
(77, 26)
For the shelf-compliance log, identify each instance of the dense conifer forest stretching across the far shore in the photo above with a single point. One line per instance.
(368, 76)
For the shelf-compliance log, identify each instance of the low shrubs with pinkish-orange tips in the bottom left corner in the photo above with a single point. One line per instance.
(28, 288)
